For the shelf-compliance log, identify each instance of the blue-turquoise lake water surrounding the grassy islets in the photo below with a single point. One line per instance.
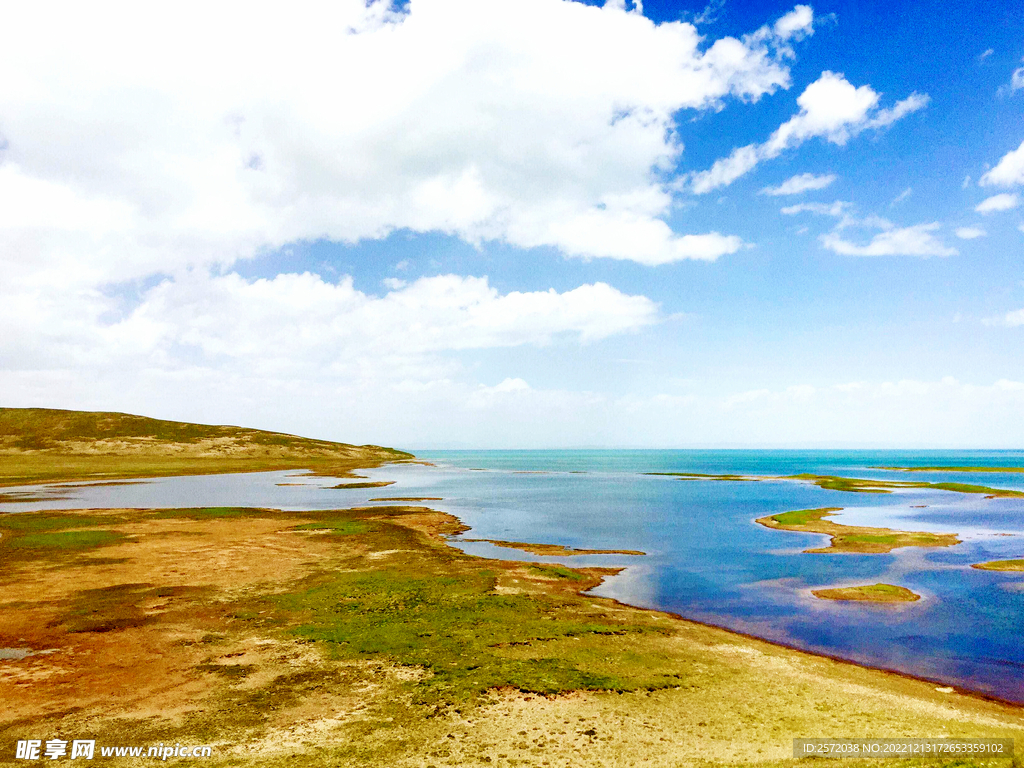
(706, 559)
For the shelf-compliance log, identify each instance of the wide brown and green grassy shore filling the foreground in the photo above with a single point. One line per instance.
(361, 638)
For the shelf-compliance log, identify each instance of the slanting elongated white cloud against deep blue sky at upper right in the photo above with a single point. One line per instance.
(831, 108)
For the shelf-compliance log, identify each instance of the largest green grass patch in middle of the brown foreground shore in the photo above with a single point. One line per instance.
(457, 628)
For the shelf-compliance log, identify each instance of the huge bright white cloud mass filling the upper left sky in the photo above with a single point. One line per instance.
(523, 121)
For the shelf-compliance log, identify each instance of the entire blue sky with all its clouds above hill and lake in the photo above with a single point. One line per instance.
(525, 225)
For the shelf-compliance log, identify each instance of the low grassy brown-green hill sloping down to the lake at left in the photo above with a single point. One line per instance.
(50, 446)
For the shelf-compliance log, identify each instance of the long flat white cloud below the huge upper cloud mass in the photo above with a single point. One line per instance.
(303, 318)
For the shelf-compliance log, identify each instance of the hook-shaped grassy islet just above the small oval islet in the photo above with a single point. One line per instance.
(855, 539)
